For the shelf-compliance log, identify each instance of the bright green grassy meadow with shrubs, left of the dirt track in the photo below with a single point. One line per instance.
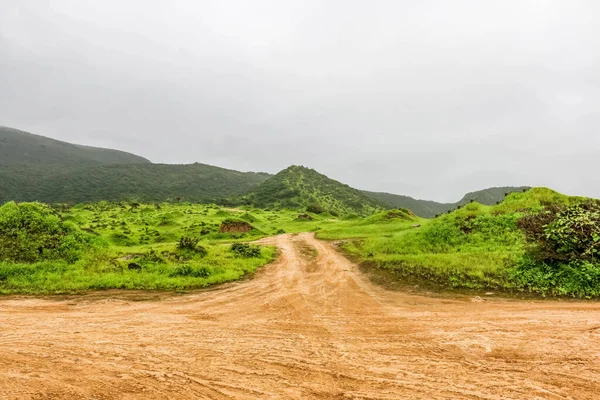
(133, 246)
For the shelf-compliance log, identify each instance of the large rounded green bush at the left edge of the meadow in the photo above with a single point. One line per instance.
(32, 232)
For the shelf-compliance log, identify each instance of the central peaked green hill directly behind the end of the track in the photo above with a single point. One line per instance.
(301, 187)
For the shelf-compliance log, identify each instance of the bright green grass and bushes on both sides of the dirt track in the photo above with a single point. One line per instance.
(535, 241)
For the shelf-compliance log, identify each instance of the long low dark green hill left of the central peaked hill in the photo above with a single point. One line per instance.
(140, 182)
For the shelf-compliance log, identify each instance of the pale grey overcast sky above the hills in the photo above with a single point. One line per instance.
(425, 98)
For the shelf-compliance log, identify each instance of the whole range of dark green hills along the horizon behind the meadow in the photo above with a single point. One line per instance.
(36, 168)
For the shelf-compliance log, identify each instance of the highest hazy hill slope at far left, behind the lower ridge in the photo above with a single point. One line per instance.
(22, 148)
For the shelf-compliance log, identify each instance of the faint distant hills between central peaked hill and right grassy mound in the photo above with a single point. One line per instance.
(429, 209)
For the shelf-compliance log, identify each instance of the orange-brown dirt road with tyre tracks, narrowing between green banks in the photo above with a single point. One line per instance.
(309, 326)
